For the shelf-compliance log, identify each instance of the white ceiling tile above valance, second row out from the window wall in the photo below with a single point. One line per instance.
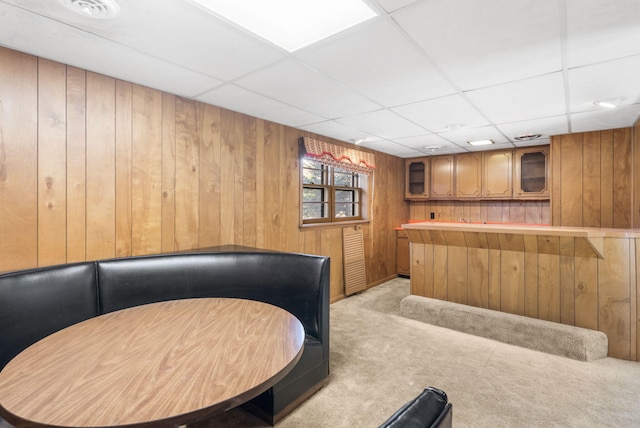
(383, 123)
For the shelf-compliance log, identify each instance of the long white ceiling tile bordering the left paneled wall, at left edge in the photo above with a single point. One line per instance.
(96, 54)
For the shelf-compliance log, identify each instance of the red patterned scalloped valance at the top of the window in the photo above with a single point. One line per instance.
(341, 157)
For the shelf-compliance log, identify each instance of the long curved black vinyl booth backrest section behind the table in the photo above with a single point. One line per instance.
(293, 282)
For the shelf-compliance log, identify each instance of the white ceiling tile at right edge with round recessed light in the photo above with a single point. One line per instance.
(606, 81)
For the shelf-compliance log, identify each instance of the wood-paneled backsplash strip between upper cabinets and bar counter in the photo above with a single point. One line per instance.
(530, 212)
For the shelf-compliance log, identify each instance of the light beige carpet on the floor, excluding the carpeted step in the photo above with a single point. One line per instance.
(380, 360)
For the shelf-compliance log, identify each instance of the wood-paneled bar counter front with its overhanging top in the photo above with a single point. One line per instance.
(586, 277)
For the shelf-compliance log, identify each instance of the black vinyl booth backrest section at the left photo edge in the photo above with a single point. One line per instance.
(38, 302)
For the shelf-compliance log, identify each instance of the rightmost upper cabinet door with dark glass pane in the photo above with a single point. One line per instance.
(531, 178)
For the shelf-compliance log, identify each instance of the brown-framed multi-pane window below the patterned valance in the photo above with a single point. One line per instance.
(330, 193)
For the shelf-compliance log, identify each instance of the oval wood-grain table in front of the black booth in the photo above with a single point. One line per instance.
(163, 364)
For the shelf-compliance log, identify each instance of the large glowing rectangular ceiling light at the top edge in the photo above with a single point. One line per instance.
(292, 24)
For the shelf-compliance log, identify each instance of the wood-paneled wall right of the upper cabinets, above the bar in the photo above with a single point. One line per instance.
(592, 179)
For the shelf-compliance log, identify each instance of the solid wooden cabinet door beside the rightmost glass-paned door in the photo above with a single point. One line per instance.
(497, 174)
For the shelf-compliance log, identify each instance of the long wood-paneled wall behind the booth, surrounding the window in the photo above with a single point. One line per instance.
(93, 167)
